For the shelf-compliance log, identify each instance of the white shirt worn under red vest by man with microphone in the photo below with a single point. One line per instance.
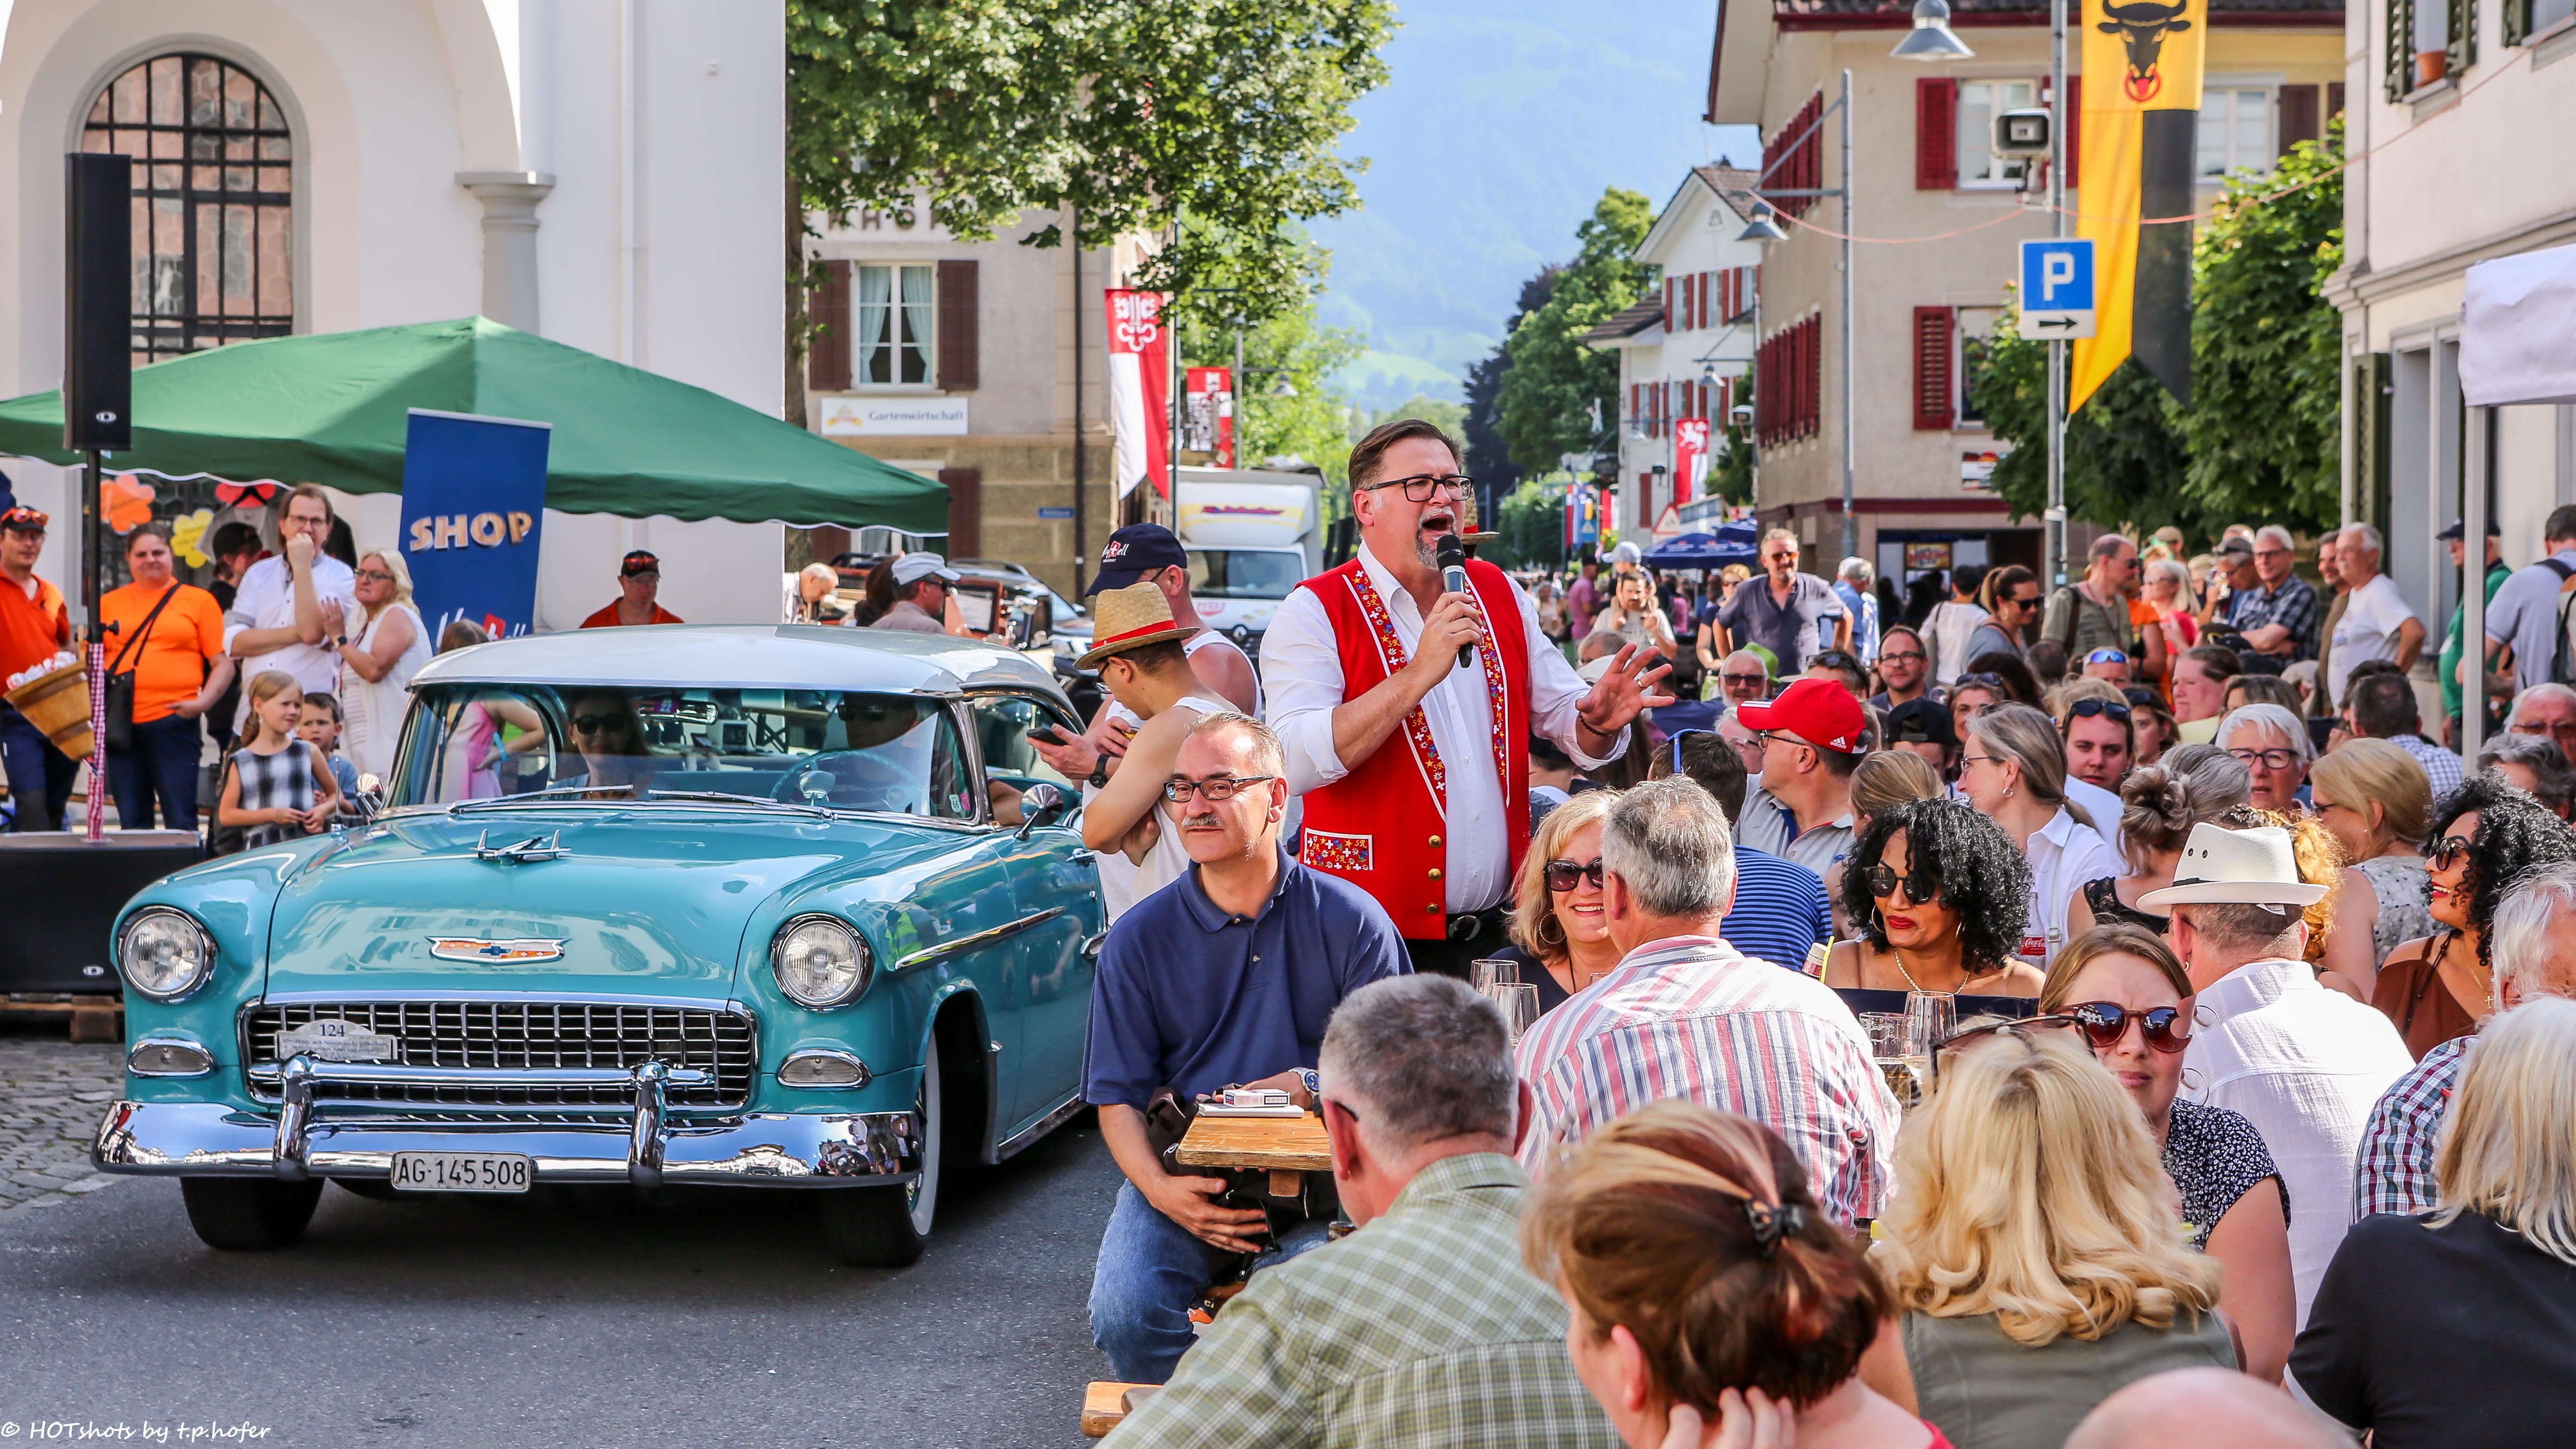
(1302, 678)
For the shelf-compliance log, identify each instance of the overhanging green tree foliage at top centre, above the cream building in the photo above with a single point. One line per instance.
(1215, 122)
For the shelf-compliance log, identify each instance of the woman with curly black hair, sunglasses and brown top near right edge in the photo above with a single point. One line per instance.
(2485, 835)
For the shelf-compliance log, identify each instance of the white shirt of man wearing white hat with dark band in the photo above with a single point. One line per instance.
(2307, 1067)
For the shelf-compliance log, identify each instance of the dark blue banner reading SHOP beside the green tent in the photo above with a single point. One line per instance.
(473, 511)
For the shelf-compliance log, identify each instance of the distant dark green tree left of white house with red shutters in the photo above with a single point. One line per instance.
(1547, 400)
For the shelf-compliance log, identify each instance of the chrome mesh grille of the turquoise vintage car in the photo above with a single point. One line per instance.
(527, 1036)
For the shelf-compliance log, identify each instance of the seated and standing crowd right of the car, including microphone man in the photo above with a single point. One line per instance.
(2260, 1075)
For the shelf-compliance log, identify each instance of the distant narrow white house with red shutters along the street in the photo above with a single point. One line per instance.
(1686, 349)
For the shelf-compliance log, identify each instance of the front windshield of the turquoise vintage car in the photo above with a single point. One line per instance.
(802, 748)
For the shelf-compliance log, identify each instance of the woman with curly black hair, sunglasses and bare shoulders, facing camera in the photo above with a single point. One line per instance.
(1941, 900)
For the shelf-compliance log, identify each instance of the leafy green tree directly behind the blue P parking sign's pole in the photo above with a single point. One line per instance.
(2124, 459)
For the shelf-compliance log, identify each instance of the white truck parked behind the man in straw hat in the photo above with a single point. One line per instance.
(1253, 537)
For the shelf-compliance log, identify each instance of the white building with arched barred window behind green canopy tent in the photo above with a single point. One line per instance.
(604, 174)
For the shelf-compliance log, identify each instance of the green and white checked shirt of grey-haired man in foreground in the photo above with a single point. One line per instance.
(1418, 1332)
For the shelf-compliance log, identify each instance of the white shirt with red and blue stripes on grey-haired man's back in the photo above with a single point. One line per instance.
(1699, 1020)
